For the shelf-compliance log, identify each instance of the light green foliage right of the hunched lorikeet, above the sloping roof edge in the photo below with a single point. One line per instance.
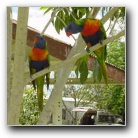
(116, 54)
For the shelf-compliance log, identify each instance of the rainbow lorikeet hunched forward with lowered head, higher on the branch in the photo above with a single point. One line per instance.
(93, 32)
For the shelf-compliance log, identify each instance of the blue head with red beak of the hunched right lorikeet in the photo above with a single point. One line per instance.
(73, 28)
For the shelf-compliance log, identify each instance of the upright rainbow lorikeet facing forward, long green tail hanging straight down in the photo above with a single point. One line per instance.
(38, 60)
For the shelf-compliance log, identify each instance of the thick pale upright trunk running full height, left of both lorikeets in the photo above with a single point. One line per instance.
(18, 66)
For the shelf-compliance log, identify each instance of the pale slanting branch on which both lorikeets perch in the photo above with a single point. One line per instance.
(77, 56)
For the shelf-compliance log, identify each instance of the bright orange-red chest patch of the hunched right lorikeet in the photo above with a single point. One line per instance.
(90, 27)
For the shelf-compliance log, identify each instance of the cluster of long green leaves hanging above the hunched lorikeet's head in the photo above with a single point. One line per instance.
(66, 15)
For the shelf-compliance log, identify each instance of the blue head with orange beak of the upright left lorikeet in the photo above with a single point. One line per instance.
(40, 42)
